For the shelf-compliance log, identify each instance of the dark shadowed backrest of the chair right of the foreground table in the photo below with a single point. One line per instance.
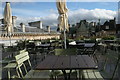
(112, 59)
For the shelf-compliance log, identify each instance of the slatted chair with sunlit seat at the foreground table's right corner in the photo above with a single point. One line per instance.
(96, 74)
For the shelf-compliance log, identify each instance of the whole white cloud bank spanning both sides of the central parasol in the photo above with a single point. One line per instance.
(74, 16)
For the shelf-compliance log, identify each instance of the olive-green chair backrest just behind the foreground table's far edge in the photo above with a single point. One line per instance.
(69, 51)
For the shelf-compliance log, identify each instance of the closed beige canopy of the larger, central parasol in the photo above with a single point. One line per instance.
(63, 17)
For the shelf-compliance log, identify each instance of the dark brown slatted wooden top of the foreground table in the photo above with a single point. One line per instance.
(63, 62)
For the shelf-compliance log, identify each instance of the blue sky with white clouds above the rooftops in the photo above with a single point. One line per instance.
(48, 14)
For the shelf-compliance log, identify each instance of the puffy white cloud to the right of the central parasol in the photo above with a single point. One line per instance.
(91, 15)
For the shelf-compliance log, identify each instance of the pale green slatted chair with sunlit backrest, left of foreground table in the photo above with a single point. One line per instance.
(32, 73)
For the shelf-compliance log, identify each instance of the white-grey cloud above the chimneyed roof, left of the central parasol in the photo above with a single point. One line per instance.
(50, 20)
